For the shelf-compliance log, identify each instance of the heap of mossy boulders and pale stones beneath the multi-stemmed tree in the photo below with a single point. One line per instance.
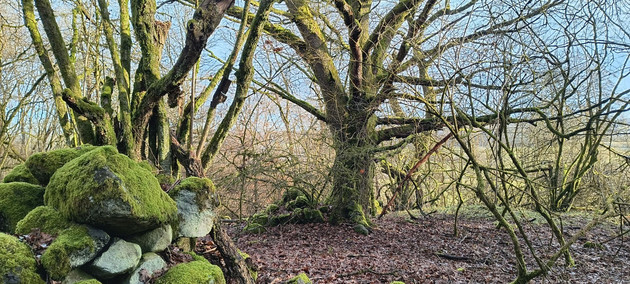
(110, 217)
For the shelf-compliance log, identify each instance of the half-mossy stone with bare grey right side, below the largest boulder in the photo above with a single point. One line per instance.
(74, 247)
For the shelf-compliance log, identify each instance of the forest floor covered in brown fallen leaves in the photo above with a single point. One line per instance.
(426, 251)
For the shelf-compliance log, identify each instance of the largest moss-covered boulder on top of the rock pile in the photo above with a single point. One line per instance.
(109, 191)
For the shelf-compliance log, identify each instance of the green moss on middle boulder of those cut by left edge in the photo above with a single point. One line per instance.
(16, 200)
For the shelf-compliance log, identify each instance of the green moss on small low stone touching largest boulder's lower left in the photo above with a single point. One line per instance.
(46, 218)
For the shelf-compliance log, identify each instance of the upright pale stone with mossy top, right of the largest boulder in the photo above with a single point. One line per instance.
(196, 200)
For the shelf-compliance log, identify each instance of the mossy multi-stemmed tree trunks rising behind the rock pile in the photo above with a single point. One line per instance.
(141, 107)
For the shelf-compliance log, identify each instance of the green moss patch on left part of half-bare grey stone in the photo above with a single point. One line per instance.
(56, 259)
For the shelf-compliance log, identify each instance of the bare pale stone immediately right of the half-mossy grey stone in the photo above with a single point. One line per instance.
(121, 257)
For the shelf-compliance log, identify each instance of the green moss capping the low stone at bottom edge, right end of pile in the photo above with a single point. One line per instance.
(198, 271)
